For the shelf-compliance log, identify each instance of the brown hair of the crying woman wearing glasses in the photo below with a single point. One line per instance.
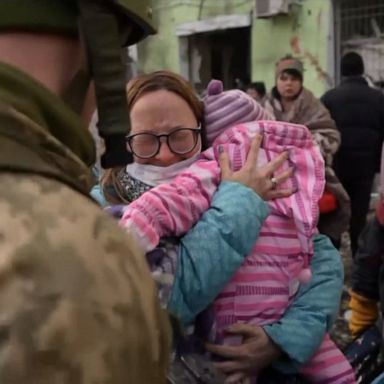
(136, 88)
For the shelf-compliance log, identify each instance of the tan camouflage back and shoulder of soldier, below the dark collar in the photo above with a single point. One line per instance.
(74, 281)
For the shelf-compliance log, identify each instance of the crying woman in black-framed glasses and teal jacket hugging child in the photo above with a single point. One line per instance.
(167, 136)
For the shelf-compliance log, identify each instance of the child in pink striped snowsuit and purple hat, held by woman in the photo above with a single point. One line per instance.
(266, 283)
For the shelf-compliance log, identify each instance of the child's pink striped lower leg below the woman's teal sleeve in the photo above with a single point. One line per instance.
(328, 365)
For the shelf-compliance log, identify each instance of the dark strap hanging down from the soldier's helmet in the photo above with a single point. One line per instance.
(100, 31)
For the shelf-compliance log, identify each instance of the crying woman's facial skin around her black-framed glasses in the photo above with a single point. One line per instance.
(162, 112)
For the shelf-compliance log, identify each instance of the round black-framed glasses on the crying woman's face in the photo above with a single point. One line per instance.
(180, 141)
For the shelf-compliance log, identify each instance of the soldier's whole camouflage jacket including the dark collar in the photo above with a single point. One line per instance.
(78, 304)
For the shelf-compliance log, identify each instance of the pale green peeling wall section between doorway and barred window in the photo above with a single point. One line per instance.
(305, 33)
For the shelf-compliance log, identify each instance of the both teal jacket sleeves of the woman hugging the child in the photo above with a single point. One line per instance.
(216, 247)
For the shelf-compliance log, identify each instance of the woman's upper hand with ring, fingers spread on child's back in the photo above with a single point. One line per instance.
(260, 179)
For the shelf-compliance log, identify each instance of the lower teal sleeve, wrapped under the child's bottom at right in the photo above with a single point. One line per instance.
(301, 330)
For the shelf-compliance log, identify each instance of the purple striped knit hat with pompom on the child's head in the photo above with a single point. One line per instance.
(226, 109)
